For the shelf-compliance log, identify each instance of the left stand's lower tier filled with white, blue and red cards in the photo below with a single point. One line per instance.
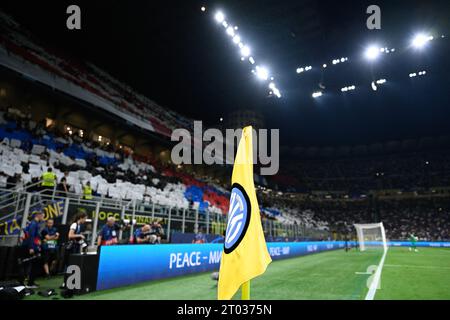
(27, 150)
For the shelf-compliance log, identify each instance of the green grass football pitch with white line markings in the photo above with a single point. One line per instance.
(334, 275)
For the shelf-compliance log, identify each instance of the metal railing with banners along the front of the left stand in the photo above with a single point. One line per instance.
(64, 205)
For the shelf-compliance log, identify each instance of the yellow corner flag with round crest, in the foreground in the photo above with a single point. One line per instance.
(245, 254)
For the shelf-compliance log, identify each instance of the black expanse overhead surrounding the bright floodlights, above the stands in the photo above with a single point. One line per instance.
(179, 57)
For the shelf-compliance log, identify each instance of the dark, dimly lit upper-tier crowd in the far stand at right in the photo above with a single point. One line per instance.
(406, 171)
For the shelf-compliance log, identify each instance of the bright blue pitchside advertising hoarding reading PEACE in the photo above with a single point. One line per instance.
(131, 264)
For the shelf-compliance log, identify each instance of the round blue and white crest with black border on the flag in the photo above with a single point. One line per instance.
(238, 218)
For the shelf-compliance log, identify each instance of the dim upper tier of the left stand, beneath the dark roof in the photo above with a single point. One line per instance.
(20, 51)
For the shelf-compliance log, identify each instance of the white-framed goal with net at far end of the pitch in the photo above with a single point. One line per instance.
(371, 235)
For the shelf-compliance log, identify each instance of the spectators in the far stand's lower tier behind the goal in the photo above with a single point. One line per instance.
(428, 218)
